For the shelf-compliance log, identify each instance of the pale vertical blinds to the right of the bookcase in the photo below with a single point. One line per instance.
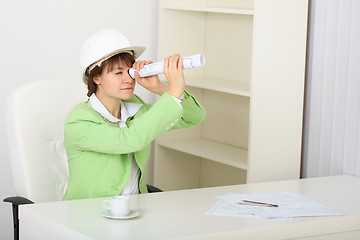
(332, 126)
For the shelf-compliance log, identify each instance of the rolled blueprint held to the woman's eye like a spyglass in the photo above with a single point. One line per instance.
(192, 61)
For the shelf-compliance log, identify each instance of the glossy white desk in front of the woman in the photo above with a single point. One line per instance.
(181, 214)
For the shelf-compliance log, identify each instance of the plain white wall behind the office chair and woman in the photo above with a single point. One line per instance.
(40, 39)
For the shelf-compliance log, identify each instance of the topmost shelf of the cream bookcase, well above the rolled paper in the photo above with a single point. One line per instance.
(209, 9)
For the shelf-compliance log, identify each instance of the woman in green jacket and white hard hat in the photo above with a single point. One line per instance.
(108, 138)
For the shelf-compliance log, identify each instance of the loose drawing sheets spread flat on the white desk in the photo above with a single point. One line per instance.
(290, 205)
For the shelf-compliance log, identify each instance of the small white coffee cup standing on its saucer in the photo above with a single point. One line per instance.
(118, 205)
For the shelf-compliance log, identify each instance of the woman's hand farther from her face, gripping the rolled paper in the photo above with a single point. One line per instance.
(173, 70)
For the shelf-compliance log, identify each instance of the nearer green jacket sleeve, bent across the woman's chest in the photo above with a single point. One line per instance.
(85, 130)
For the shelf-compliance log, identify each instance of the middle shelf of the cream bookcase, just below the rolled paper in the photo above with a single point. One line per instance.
(218, 84)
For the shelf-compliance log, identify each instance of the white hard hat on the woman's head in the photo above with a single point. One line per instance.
(103, 45)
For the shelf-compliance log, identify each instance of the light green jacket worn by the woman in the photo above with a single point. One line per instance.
(98, 150)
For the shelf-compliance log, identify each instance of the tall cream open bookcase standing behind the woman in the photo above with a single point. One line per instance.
(252, 87)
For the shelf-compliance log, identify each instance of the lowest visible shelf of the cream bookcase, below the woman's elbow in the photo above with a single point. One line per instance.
(218, 152)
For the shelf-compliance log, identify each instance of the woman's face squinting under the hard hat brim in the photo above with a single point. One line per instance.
(115, 83)
